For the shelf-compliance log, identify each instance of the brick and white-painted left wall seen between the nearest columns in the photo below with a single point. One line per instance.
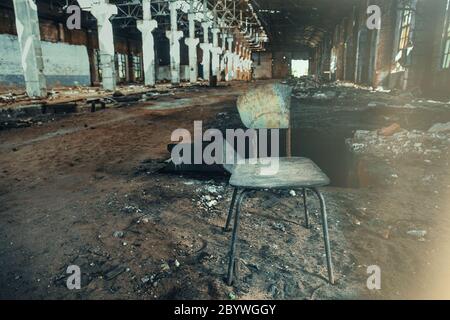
(62, 45)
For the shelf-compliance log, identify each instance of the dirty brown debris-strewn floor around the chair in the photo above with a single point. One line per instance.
(67, 187)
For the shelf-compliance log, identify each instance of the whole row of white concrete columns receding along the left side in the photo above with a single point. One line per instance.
(235, 64)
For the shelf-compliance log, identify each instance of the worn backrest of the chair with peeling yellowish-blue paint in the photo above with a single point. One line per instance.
(266, 106)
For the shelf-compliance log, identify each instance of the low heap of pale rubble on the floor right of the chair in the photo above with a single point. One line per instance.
(395, 142)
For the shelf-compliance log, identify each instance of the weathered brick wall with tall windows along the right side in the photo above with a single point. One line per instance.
(369, 56)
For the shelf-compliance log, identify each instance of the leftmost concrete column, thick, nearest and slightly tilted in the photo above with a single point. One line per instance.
(27, 25)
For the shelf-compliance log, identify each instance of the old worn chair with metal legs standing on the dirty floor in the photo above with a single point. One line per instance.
(268, 107)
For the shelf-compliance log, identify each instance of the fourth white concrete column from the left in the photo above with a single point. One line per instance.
(174, 37)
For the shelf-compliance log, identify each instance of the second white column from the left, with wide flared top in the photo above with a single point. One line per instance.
(102, 11)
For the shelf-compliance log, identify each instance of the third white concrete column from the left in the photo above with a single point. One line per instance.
(146, 27)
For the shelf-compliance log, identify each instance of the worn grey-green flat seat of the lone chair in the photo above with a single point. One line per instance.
(292, 173)
